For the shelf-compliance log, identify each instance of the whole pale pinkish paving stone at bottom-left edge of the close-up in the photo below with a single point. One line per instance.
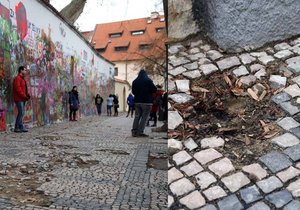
(193, 200)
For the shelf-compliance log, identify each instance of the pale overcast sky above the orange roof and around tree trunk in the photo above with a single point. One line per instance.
(103, 11)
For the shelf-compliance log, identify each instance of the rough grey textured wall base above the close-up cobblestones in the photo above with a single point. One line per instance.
(240, 24)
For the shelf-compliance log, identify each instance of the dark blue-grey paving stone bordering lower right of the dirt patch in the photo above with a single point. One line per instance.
(275, 161)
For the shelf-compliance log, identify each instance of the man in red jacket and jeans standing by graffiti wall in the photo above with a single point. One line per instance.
(21, 95)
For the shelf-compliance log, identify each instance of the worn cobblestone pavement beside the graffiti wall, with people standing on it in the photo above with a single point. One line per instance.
(90, 164)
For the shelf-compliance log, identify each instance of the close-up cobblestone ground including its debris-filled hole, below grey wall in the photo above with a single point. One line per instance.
(224, 162)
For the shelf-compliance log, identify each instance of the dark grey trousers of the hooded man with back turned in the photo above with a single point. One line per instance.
(142, 112)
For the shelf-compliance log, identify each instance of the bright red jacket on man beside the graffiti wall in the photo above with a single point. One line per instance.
(20, 90)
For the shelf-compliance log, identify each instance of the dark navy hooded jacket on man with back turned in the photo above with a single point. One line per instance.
(143, 88)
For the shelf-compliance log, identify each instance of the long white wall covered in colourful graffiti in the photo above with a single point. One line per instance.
(57, 58)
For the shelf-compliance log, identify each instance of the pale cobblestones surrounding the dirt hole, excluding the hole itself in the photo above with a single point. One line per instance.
(200, 174)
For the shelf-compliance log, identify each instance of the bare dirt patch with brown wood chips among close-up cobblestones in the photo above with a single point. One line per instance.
(224, 110)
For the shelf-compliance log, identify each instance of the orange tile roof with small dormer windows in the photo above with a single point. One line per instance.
(102, 39)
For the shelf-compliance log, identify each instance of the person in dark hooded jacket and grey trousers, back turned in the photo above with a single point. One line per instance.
(142, 89)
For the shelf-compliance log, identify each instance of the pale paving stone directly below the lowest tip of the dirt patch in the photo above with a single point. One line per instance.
(235, 181)
